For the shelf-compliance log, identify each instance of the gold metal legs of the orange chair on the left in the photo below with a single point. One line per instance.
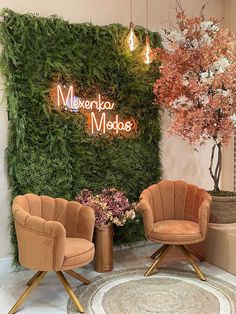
(35, 280)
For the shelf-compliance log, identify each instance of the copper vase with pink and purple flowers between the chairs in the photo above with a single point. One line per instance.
(111, 206)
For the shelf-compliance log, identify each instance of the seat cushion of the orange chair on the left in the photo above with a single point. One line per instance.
(78, 252)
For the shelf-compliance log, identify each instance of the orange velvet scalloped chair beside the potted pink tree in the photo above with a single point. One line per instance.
(176, 214)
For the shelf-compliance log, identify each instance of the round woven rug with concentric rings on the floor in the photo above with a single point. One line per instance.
(168, 291)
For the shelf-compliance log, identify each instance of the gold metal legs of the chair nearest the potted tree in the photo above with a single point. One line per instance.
(161, 253)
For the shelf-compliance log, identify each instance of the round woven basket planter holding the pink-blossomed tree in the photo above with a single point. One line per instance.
(223, 209)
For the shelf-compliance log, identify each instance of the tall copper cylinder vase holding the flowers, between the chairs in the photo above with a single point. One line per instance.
(104, 249)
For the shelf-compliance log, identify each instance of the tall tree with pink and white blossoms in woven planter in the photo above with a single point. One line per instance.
(198, 86)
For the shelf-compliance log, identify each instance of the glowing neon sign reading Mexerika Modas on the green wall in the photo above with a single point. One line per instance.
(101, 118)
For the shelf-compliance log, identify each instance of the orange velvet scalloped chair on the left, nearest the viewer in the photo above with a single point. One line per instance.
(53, 234)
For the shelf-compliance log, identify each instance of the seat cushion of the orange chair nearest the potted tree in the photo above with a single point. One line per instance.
(176, 232)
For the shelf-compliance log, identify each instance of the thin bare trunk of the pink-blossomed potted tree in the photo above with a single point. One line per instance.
(215, 173)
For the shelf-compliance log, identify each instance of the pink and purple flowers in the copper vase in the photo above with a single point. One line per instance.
(110, 206)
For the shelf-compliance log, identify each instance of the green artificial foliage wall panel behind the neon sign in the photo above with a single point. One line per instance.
(50, 152)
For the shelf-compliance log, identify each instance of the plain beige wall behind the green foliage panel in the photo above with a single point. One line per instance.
(179, 159)
